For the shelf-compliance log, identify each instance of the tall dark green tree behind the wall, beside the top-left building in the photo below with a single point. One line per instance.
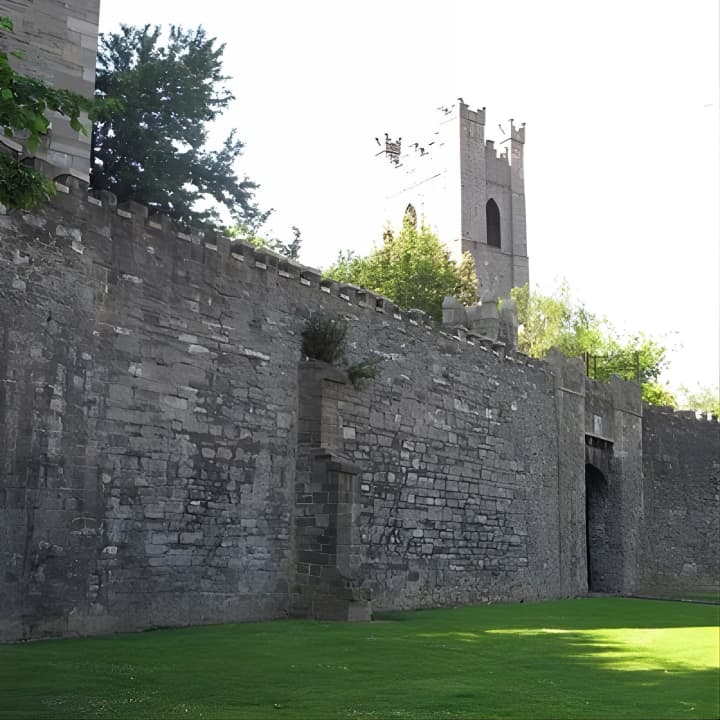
(153, 152)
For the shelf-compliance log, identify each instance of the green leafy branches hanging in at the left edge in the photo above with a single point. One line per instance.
(24, 105)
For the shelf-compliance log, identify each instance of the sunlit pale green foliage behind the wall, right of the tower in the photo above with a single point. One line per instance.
(557, 320)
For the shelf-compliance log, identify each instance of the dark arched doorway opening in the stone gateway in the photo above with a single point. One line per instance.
(599, 559)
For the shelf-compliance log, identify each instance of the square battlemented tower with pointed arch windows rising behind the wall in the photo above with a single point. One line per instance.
(471, 195)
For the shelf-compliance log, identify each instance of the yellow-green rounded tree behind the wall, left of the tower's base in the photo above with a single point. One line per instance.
(412, 268)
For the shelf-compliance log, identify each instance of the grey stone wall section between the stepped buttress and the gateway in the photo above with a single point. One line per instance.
(458, 456)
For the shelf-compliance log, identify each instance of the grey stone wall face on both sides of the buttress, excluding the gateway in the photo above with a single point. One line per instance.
(149, 434)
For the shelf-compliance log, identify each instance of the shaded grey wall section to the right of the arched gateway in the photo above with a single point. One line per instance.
(681, 532)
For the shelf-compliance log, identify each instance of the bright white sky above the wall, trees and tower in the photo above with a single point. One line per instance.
(620, 100)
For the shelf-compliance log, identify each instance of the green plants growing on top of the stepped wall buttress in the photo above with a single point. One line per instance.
(323, 338)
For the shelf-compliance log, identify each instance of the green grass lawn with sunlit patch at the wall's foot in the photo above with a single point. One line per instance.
(589, 658)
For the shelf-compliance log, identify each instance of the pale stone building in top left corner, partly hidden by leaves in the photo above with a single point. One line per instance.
(59, 40)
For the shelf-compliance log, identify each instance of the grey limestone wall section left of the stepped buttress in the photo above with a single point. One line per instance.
(147, 420)
